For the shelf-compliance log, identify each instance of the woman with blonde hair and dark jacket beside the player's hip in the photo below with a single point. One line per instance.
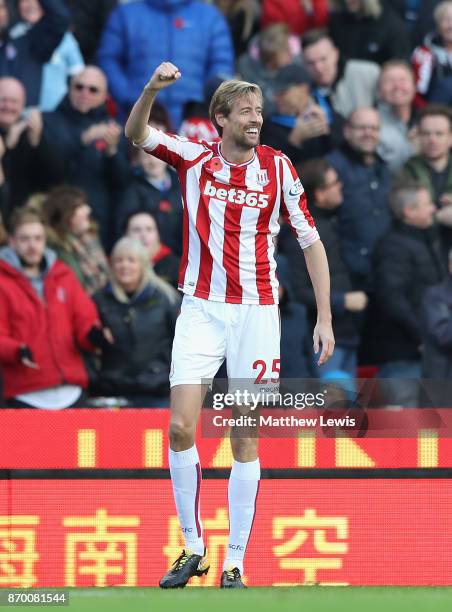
(139, 310)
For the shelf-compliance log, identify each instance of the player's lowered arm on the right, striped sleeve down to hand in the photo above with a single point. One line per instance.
(295, 210)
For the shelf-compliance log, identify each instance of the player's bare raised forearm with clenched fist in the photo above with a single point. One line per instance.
(137, 124)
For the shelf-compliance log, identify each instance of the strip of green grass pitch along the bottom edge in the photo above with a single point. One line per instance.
(303, 599)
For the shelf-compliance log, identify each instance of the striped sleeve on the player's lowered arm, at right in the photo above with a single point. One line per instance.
(294, 205)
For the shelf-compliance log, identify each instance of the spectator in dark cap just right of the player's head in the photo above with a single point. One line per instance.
(299, 126)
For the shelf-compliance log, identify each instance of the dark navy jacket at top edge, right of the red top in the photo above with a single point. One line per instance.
(367, 38)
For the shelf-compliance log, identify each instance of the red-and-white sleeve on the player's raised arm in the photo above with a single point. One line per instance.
(174, 150)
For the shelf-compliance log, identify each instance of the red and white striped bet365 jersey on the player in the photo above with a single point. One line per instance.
(231, 216)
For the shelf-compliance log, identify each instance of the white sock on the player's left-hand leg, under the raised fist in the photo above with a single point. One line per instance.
(186, 478)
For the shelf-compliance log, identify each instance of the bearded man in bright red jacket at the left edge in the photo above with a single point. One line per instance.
(45, 320)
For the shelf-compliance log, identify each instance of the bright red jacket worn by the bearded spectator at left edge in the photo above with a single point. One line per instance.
(54, 331)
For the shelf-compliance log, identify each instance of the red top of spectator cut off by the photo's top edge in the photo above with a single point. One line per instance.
(294, 15)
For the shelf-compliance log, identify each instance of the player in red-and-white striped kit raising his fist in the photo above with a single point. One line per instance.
(233, 191)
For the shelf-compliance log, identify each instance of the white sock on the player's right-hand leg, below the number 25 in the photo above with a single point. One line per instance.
(242, 494)
